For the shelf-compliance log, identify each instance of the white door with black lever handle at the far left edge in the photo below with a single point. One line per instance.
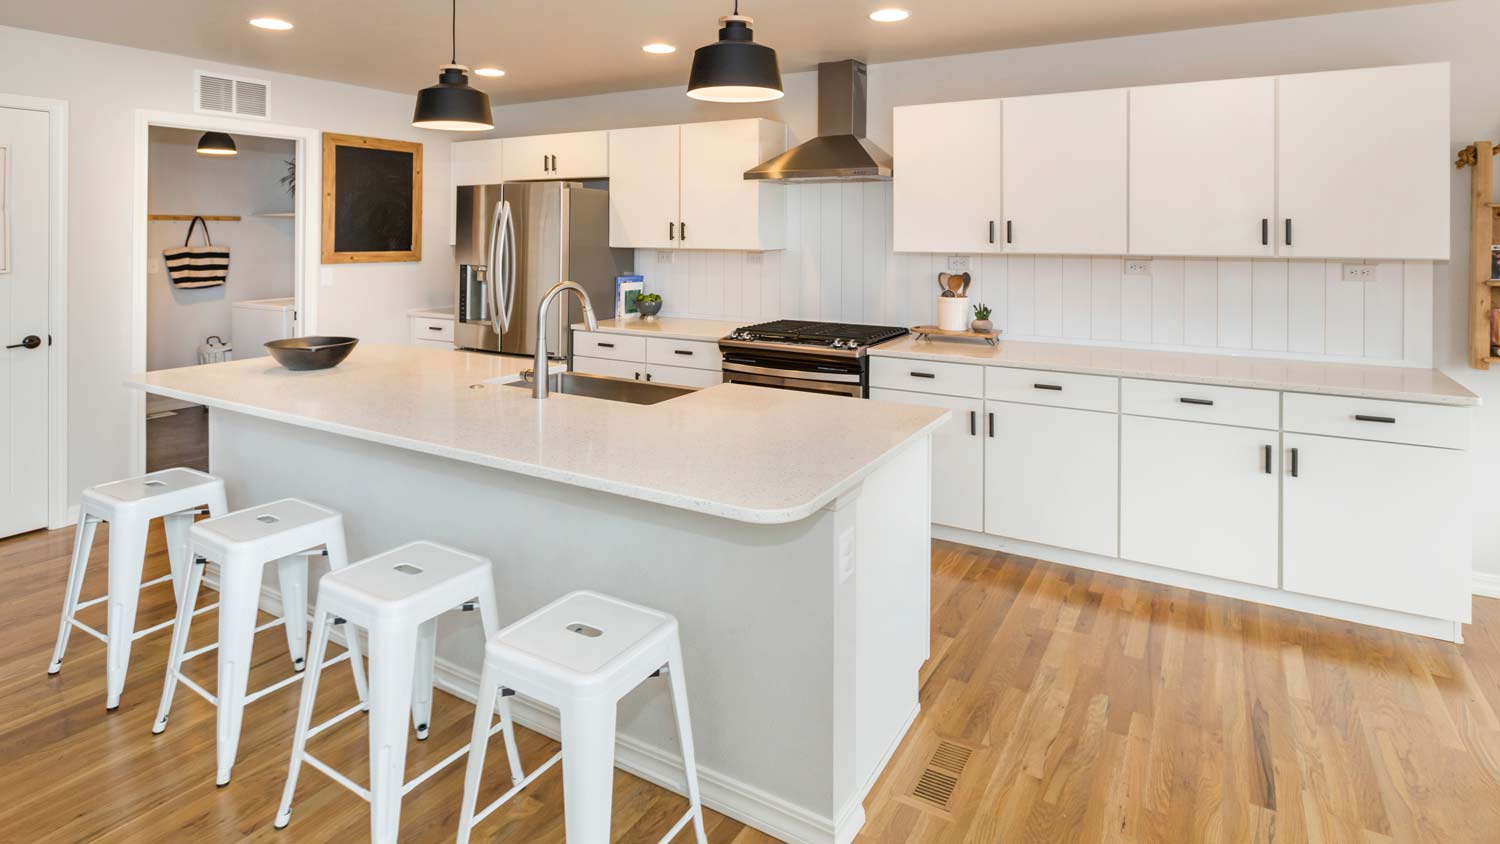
(23, 320)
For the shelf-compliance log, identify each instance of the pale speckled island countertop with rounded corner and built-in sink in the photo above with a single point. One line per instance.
(745, 453)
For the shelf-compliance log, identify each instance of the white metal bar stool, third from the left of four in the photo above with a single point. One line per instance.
(397, 597)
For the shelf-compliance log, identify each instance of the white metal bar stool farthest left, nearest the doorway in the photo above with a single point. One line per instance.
(176, 497)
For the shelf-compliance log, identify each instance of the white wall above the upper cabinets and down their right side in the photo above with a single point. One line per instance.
(1460, 32)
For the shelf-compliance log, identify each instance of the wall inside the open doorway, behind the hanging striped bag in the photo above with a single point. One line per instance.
(262, 253)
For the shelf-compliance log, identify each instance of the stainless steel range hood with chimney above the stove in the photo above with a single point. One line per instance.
(841, 151)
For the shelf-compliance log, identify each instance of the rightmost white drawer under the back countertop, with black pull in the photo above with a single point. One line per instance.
(1373, 419)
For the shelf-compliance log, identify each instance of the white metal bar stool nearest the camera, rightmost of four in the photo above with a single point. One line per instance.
(583, 654)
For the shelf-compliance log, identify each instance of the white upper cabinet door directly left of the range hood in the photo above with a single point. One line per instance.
(719, 208)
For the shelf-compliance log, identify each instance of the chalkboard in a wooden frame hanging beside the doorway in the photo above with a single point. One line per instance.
(371, 200)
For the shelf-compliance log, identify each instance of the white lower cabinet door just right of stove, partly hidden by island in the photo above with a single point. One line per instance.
(958, 458)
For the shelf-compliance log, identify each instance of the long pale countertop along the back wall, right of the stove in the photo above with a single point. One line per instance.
(1403, 385)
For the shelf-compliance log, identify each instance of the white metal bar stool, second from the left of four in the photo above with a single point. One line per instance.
(286, 531)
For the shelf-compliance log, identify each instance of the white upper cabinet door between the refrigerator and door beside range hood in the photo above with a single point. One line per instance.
(643, 188)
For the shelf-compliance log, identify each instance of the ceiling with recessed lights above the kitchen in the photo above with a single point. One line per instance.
(586, 47)
